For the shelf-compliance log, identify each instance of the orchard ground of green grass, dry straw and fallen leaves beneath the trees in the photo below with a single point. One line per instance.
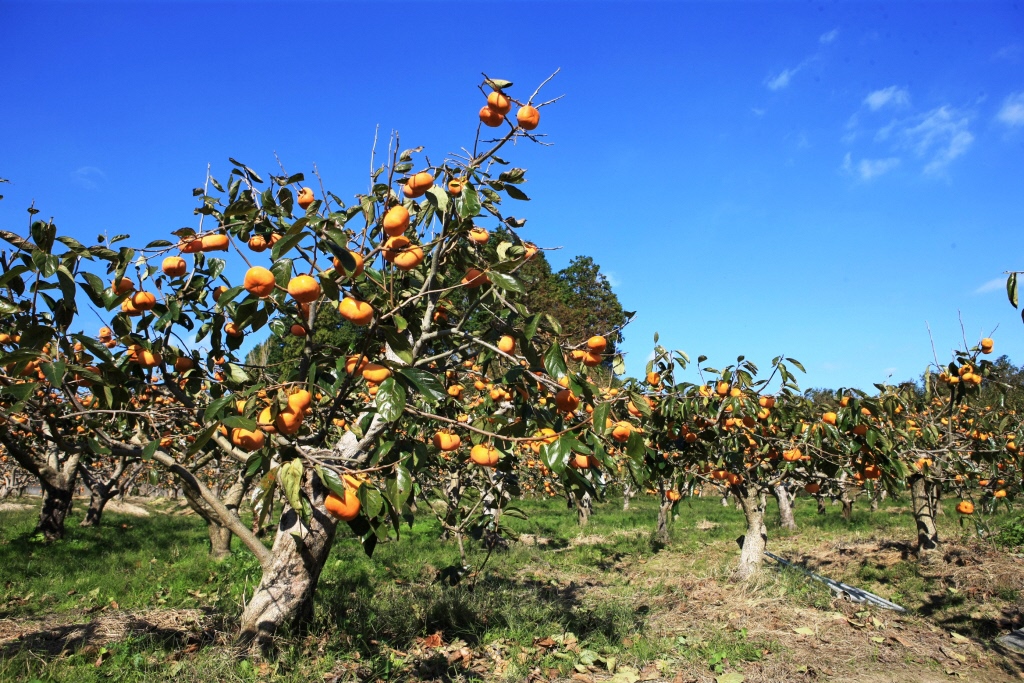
(139, 601)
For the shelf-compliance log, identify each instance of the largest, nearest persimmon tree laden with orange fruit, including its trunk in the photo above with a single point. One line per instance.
(346, 435)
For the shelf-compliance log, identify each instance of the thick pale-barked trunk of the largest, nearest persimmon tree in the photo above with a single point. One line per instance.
(285, 594)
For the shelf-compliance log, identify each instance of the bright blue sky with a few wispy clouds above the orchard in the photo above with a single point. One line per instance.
(816, 180)
